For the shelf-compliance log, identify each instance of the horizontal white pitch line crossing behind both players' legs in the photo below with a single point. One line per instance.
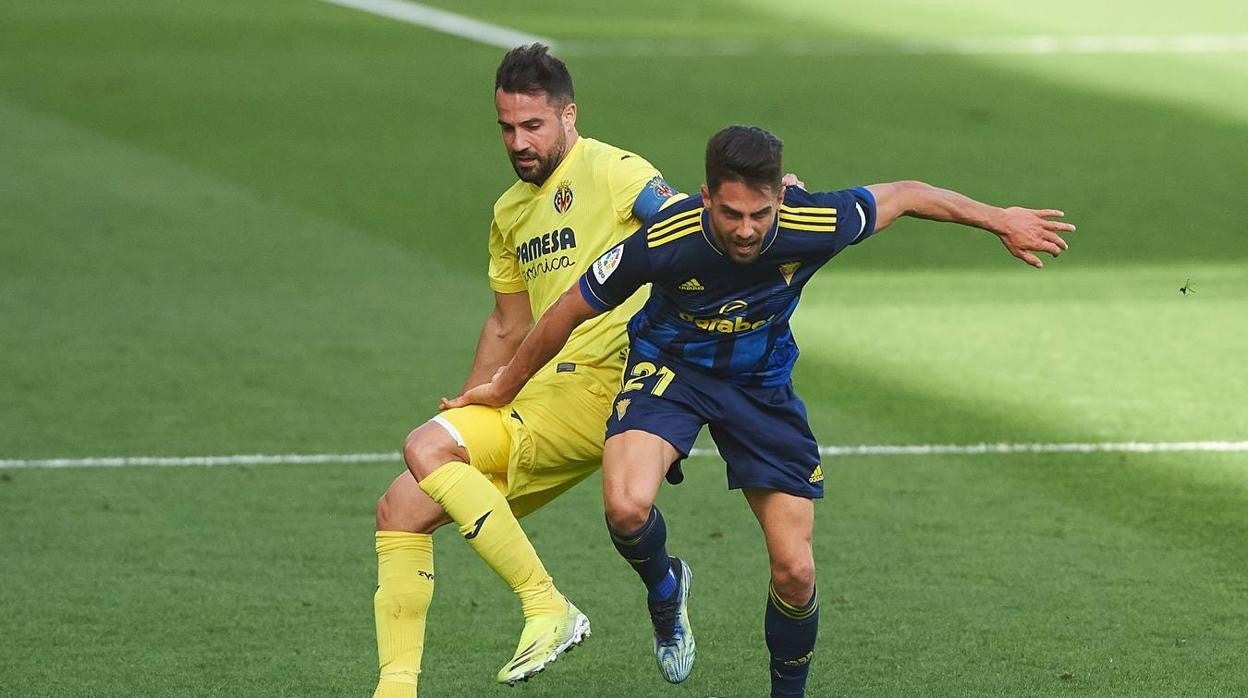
(831, 451)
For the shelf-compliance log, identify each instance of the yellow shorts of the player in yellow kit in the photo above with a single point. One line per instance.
(547, 440)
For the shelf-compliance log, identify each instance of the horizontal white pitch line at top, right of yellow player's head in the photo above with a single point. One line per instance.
(1005, 46)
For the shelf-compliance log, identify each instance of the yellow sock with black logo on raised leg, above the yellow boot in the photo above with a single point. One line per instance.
(491, 529)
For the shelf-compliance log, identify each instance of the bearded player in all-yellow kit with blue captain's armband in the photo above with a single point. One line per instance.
(484, 468)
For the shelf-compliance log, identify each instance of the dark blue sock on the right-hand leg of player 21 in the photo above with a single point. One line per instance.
(792, 634)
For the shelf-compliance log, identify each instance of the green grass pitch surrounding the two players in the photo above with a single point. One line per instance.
(239, 228)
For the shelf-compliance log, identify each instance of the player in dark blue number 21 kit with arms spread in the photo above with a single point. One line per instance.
(713, 348)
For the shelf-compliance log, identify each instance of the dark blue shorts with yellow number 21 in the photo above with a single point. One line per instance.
(762, 433)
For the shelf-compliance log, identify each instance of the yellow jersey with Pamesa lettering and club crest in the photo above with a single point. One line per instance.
(545, 238)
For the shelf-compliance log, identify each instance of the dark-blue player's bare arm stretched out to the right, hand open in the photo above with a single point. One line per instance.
(1024, 232)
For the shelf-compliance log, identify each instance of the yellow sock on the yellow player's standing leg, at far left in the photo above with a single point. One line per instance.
(405, 589)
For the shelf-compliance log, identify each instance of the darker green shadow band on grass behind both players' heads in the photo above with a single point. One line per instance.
(390, 128)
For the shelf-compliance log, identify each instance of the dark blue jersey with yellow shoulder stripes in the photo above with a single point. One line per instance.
(727, 319)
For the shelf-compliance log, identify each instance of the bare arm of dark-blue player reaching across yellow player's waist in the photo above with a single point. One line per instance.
(539, 349)
